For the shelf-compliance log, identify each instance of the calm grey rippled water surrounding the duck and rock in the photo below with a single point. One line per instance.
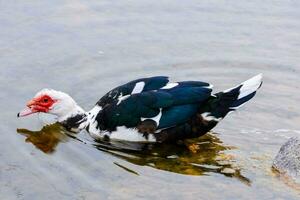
(86, 48)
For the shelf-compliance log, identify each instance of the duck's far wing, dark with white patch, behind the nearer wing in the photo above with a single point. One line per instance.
(133, 87)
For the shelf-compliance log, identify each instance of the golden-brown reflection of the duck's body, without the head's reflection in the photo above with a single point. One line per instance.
(199, 156)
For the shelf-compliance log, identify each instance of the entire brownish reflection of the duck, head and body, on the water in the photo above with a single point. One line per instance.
(199, 156)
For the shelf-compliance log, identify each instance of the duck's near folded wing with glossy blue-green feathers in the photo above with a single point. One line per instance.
(166, 107)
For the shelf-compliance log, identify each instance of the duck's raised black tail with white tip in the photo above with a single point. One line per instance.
(231, 99)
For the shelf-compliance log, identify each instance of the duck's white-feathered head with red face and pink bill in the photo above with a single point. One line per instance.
(53, 102)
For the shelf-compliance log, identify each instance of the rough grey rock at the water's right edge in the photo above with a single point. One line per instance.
(287, 160)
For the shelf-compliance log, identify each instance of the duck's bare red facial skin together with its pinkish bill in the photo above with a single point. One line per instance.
(41, 103)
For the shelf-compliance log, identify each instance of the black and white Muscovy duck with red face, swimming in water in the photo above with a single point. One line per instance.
(151, 109)
